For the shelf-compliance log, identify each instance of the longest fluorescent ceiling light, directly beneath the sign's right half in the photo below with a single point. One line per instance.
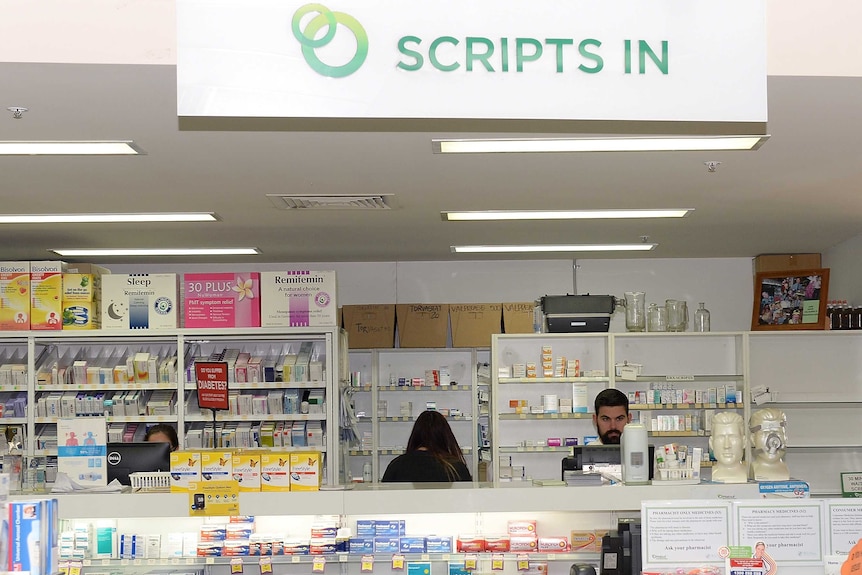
(627, 144)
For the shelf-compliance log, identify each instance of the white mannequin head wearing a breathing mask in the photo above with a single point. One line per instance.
(769, 439)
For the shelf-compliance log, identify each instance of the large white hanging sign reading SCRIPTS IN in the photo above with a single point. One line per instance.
(654, 60)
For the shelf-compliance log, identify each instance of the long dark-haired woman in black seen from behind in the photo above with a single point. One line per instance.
(433, 454)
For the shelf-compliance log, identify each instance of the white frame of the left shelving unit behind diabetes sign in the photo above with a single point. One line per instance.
(40, 350)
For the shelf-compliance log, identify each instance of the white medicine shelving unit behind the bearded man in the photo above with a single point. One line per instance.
(551, 380)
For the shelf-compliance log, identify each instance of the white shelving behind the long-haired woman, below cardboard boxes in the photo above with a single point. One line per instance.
(417, 379)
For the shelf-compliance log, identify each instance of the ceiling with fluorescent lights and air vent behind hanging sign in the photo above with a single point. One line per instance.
(798, 193)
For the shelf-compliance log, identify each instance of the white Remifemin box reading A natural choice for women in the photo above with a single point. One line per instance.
(298, 299)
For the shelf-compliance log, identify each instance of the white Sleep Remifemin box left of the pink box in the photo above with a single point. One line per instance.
(139, 301)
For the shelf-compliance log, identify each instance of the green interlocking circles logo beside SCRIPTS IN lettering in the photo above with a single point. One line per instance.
(310, 42)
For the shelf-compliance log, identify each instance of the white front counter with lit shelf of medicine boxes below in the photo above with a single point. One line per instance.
(470, 513)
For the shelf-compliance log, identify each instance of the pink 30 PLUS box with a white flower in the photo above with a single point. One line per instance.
(214, 300)
